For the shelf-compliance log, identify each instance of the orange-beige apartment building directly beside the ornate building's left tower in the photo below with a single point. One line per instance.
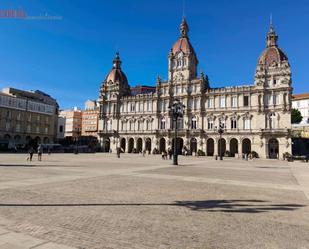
(90, 119)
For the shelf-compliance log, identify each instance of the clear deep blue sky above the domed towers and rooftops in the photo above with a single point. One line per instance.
(69, 58)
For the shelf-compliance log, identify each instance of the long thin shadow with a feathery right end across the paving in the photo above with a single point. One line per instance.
(225, 206)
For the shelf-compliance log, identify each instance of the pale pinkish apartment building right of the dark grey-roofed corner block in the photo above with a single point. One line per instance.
(73, 122)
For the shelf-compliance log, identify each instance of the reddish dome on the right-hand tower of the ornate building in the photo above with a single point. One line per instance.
(272, 55)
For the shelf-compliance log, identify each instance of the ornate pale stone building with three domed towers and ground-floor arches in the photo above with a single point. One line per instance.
(255, 117)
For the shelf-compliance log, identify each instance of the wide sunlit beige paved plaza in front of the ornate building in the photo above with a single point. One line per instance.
(99, 201)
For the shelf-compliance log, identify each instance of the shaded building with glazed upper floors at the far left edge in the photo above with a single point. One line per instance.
(27, 118)
